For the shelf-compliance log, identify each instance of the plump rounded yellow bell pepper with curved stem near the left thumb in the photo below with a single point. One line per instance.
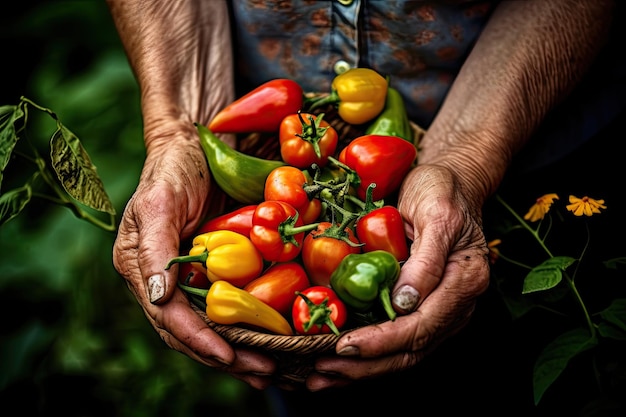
(224, 255)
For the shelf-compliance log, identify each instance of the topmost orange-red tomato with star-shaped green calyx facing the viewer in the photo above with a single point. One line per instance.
(306, 139)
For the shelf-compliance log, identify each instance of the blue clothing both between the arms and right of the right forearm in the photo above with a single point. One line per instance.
(420, 45)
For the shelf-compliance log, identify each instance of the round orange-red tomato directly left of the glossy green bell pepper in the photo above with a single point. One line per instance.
(324, 248)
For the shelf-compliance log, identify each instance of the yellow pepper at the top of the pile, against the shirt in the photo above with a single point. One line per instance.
(358, 93)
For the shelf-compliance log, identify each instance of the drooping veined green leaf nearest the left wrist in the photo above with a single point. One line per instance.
(76, 172)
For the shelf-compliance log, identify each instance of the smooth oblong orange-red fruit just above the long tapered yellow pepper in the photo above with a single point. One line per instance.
(278, 285)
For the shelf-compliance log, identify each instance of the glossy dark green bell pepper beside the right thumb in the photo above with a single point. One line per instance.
(362, 278)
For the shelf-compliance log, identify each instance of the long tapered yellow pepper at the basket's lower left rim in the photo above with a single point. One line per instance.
(227, 304)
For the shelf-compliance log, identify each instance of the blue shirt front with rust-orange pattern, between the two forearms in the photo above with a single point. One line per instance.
(420, 45)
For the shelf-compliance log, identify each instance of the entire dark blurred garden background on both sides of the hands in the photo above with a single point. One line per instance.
(75, 342)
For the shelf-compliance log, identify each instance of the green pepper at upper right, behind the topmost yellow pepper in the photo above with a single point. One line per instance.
(393, 121)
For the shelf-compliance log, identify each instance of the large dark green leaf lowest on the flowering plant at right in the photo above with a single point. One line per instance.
(555, 357)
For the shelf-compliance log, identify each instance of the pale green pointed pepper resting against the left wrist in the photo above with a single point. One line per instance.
(239, 175)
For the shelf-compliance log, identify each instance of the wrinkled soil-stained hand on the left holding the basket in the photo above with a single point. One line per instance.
(169, 203)
